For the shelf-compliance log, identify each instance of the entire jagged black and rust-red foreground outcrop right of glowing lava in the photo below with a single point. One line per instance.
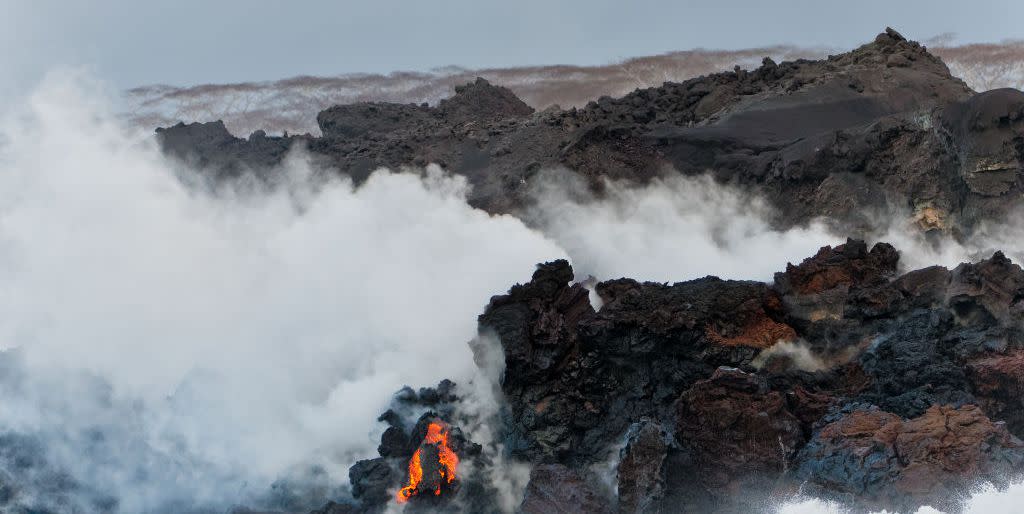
(877, 390)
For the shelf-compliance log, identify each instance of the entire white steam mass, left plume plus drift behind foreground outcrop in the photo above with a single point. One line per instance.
(174, 349)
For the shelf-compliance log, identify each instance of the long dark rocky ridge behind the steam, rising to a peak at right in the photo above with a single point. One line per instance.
(883, 128)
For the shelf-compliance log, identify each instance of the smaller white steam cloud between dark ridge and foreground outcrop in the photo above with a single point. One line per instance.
(672, 230)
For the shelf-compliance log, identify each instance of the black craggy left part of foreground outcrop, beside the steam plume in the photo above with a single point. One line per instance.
(576, 378)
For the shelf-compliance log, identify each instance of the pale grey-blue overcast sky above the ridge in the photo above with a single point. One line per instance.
(187, 42)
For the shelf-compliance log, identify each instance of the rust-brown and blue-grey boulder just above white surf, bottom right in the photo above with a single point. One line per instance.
(883, 461)
